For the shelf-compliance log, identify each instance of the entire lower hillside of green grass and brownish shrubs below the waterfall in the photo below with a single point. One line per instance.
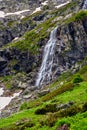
(43, 114)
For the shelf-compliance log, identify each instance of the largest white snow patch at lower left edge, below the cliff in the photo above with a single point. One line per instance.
(4, 101)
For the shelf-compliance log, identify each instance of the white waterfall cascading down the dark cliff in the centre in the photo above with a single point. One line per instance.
(45, 71)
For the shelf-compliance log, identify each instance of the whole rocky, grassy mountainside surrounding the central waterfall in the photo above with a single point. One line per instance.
(22, 42)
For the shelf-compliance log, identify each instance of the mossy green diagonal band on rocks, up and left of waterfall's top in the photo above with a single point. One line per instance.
(29, 41)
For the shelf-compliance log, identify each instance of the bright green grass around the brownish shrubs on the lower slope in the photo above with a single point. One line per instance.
(78, 94)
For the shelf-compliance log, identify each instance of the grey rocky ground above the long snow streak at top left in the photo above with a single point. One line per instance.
(17, 5)
